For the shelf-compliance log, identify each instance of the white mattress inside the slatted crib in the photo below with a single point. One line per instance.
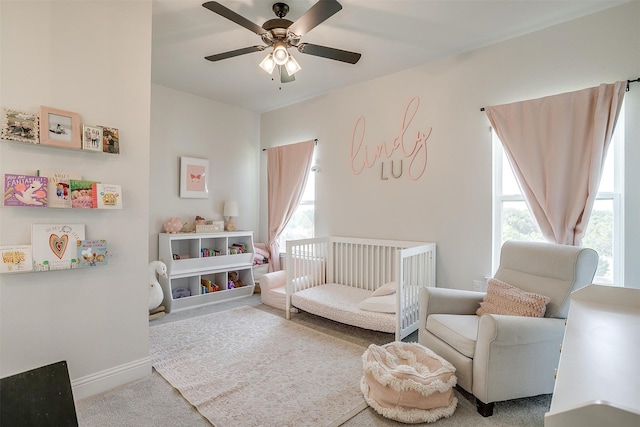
(340, 303)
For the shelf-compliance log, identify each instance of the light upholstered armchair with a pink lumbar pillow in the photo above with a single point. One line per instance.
(508, 356)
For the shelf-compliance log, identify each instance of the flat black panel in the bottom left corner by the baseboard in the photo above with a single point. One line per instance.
(39, 397)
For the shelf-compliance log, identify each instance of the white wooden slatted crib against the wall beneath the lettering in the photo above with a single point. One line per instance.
(330, 276)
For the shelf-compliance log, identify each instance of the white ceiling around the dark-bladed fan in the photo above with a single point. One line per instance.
(392, 35)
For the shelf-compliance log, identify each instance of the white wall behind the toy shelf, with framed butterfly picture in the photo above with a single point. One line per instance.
(186, 125)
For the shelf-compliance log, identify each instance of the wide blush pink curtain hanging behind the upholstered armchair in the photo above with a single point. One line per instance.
(557, 147)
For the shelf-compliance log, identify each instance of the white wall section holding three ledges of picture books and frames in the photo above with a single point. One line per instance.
(92, 58)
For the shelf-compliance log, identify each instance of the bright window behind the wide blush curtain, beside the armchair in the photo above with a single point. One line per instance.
(513, 220)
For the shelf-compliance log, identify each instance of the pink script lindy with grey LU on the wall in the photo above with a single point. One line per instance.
(410, 144)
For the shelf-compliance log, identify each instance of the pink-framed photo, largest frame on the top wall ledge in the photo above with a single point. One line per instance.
(60, 128)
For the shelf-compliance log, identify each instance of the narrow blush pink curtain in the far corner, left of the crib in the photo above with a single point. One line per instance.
(287, 172)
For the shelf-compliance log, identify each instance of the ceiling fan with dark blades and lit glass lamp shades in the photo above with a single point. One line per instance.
(281, 34)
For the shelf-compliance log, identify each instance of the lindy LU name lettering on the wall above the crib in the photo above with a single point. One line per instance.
(417, 153)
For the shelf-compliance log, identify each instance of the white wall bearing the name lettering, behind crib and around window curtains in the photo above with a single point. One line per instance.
(451, 203)
